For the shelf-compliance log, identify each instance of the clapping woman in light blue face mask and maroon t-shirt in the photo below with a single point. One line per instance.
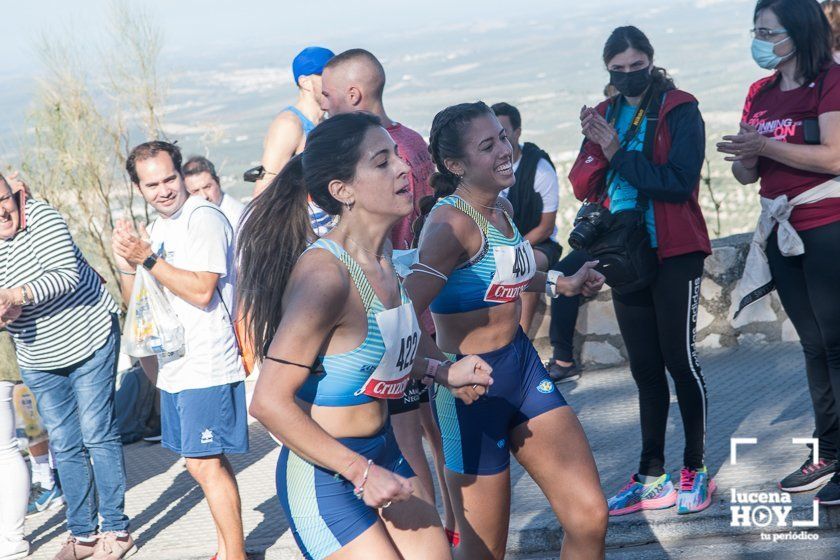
(789, 140)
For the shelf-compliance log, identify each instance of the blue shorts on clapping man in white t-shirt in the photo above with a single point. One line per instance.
(205, 422)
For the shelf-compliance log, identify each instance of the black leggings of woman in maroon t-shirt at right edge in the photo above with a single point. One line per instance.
(808, 287)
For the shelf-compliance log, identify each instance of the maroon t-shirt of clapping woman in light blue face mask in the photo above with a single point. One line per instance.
(779, 115)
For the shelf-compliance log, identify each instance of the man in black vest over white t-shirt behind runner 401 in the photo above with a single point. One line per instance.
(534, 196)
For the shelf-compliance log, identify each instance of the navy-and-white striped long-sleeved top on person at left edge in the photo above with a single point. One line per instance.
(71, 316)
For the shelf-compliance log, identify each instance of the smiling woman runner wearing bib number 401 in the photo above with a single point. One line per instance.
(473, 264)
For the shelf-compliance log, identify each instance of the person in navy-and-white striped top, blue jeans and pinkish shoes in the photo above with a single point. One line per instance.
(66, 335)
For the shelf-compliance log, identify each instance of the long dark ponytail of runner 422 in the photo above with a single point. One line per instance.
(275, 231)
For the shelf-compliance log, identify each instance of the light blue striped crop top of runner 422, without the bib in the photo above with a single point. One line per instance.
(339, 379)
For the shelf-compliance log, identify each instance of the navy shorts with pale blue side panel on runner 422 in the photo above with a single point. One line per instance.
(322, 510)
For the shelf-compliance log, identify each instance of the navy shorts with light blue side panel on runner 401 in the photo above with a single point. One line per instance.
(475, 437)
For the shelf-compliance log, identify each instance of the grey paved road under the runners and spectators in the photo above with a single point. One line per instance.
(755, 392)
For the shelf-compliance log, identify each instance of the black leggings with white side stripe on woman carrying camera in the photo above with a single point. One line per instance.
(658, 326)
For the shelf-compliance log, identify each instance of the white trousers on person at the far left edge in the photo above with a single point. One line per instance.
(14, 490)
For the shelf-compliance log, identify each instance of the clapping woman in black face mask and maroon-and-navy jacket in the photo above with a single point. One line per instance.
(656, 322)
